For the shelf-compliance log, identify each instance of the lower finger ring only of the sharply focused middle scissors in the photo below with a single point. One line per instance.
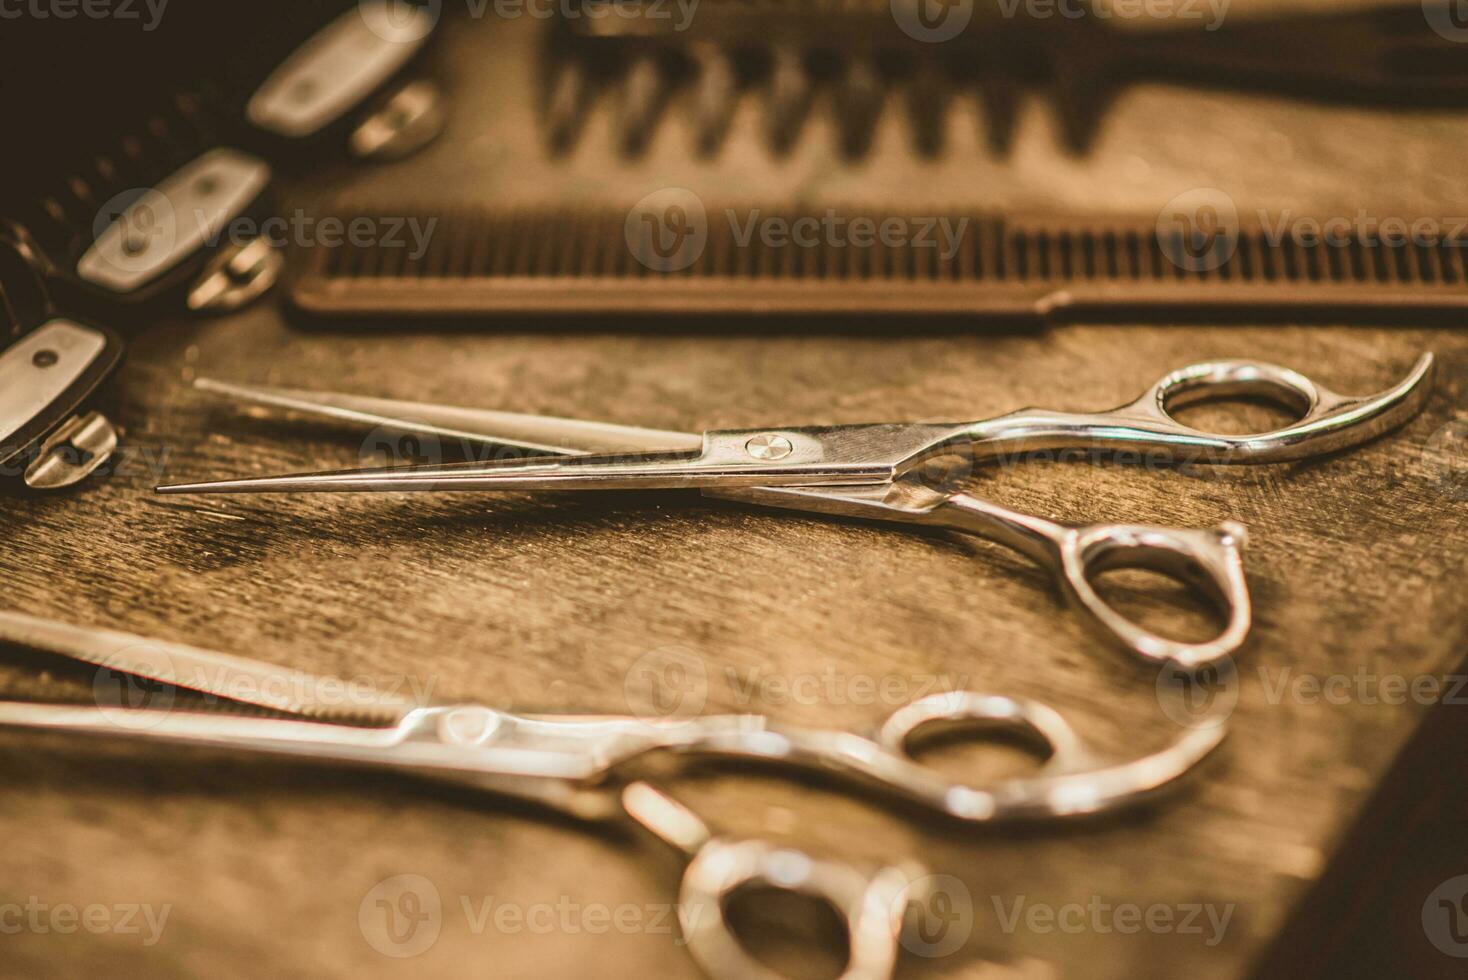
(1212, 563)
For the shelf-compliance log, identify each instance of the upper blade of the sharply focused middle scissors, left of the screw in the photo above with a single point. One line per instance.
(535, 434)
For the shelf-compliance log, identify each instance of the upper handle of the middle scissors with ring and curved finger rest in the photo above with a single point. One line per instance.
(1328, 422)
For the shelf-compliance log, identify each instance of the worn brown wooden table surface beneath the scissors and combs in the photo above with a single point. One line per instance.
(578, 604)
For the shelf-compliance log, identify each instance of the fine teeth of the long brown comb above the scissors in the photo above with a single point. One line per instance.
(594, 244)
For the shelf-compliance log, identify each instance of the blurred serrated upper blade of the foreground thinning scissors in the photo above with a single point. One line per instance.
(218, 674)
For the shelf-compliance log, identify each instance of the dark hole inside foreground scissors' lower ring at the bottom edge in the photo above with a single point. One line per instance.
(796, 935)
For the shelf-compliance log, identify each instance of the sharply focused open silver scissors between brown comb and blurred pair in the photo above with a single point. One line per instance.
(884, 473)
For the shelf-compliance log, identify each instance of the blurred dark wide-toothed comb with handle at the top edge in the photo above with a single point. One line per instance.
(791, 51)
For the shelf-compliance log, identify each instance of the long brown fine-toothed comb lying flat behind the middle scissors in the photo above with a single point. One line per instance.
(586, 262)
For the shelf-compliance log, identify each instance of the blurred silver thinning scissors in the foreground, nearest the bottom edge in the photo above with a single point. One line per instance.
(576, 765)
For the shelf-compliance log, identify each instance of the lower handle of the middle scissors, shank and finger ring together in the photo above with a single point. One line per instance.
(1212, 563)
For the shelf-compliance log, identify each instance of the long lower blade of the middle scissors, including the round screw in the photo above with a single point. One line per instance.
(735, 458)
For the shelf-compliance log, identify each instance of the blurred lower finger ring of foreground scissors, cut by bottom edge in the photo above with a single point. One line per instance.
(873, 907)
